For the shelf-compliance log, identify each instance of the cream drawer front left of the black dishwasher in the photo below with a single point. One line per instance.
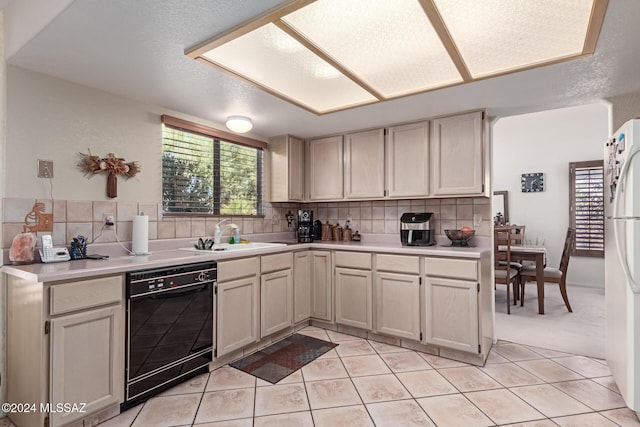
(85, 294)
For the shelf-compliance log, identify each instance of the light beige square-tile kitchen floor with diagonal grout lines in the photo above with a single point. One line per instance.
(366, 383)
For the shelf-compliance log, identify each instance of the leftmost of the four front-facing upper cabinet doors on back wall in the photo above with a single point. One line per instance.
(325, 165)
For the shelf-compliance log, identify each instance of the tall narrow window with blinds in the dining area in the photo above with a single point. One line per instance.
(587, 207)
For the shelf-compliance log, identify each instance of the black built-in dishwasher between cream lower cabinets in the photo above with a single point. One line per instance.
(169, 327)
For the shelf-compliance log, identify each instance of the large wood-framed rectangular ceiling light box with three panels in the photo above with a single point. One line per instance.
(330, 55)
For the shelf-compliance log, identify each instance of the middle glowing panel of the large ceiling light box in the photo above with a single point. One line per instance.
(391, 46)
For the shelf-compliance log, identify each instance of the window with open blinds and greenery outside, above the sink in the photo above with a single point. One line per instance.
(206, 171)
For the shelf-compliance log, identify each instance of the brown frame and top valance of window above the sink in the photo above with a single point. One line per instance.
(220, 136)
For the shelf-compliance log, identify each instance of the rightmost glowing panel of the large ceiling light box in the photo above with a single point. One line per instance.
(494, 36)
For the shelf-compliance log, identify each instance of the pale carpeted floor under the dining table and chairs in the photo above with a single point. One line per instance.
(581, 332)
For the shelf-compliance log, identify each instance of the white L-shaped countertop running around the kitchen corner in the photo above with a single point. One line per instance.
(165, 253)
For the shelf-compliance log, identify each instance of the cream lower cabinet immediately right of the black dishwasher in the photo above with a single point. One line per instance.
(237, 305)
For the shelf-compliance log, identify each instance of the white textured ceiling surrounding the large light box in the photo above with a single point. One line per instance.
(135, 48)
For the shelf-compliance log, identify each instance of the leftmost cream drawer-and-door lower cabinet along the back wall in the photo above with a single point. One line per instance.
(354, 289)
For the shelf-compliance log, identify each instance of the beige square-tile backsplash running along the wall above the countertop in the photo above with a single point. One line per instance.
(81, 217)
